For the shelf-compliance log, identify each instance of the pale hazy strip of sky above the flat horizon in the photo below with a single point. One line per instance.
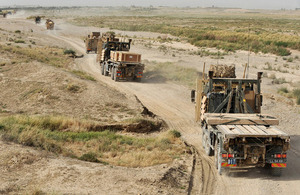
(256, 4)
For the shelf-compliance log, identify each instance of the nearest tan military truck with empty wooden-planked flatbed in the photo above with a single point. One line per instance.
(233, 128)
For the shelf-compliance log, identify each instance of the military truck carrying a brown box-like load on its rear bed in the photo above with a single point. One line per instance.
(116, 60)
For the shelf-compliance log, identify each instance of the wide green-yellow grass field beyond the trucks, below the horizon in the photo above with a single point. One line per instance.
(229, 33)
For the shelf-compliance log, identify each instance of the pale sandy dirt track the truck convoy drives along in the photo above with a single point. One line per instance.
(172, 103)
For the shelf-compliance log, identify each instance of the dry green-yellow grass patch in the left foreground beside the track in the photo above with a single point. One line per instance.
(77, 138)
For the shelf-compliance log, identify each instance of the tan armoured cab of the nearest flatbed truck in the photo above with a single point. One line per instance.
(232, 95)
